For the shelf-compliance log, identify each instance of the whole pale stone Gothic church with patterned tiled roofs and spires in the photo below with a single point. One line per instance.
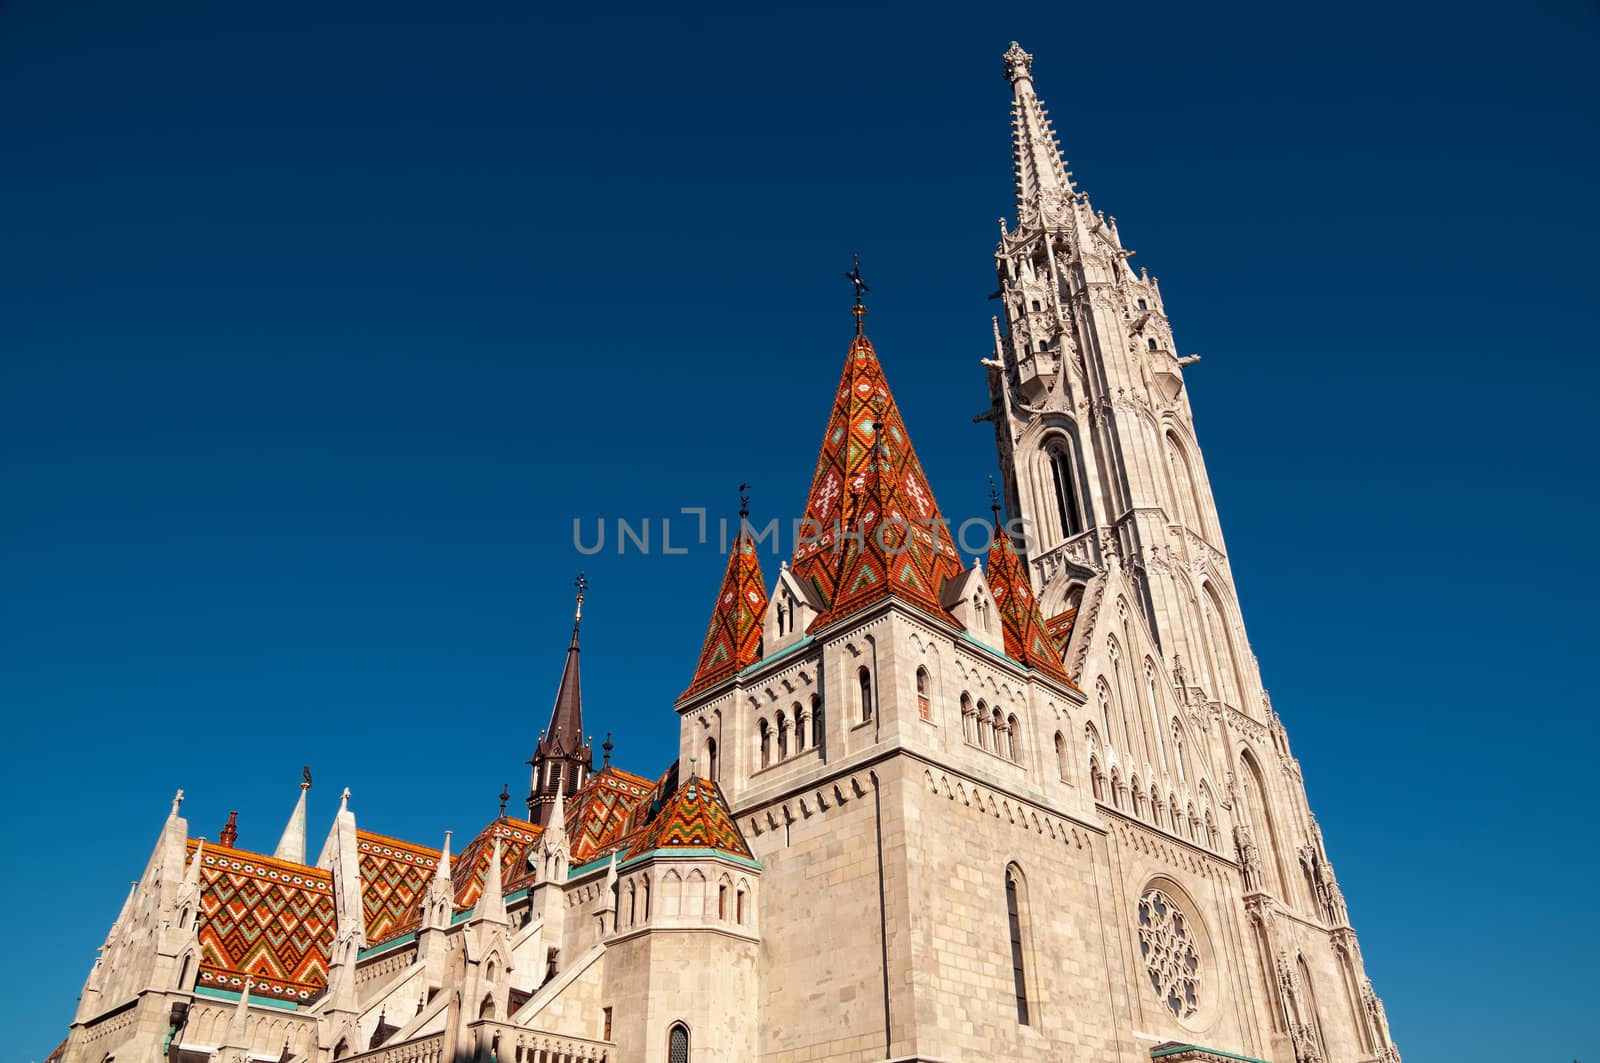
(1030, 809)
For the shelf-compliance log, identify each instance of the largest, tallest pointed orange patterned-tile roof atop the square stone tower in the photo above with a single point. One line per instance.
(871, 524)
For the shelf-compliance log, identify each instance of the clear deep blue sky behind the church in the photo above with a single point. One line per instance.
(319, 324)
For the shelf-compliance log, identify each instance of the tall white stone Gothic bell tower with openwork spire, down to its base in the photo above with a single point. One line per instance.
(1126, 553)
